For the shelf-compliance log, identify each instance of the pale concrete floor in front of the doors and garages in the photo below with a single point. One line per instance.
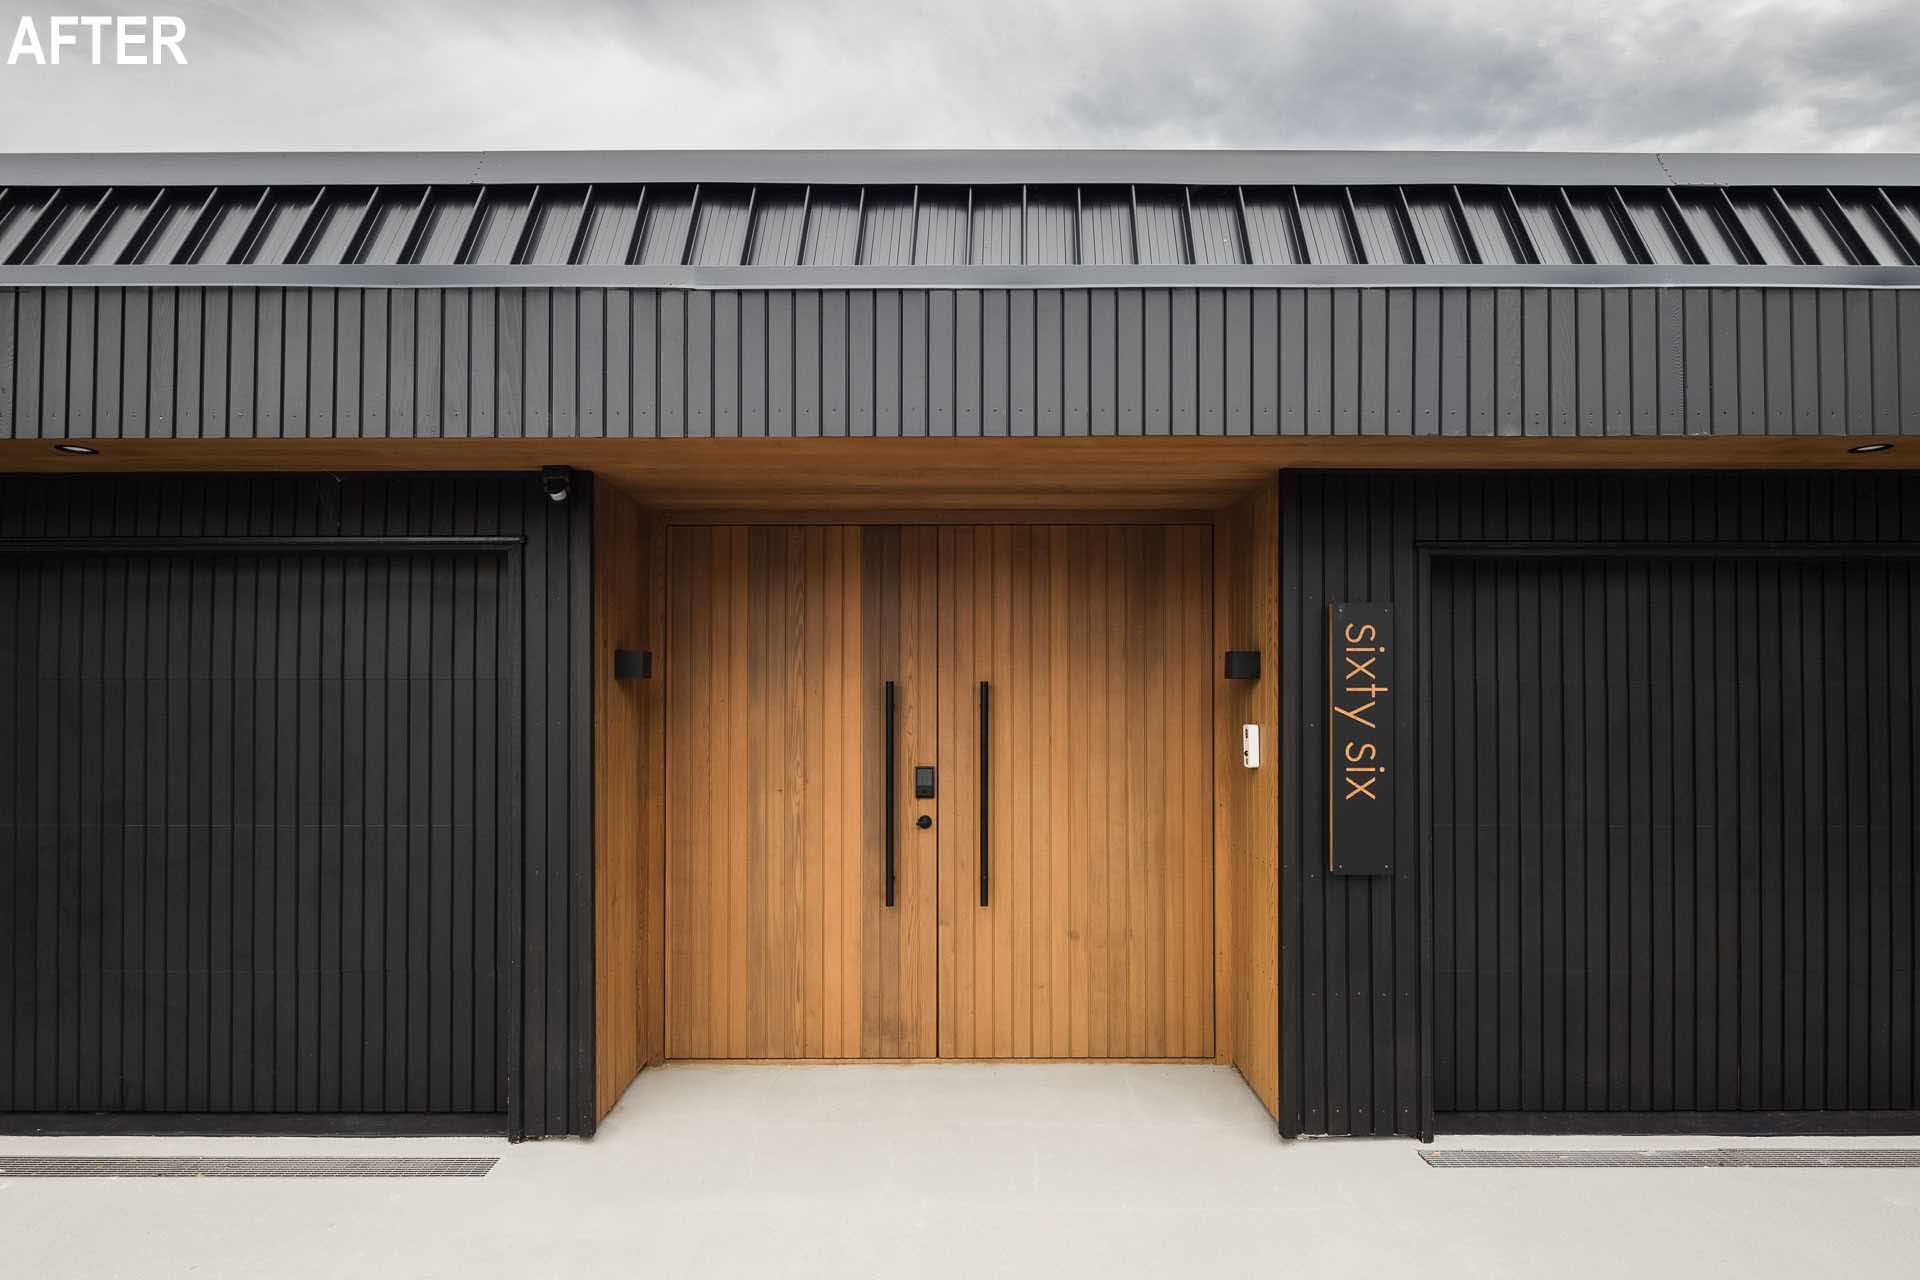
(957, 1172)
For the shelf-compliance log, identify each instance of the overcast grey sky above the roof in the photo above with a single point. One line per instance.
(779, 74)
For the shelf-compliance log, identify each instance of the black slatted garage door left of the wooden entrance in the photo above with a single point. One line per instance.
(251, 834)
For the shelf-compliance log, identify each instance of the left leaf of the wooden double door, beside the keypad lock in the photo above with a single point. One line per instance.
(780, 939)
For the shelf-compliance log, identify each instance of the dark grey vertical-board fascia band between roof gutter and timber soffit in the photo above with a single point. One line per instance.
(587, 364)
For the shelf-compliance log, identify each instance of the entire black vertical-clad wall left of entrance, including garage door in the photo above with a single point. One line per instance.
(266, 803)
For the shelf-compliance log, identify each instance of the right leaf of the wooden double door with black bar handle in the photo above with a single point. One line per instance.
(1099, 932)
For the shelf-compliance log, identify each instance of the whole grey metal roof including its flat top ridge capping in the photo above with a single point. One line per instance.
(790, 220)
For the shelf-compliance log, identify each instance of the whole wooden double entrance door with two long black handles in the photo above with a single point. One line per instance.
(1051, 899)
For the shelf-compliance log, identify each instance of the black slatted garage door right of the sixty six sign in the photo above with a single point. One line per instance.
(1675, 836)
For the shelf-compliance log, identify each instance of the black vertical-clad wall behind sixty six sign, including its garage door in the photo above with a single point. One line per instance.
(1620, 939)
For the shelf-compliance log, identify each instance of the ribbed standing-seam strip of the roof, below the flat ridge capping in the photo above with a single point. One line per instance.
(782, 225)
